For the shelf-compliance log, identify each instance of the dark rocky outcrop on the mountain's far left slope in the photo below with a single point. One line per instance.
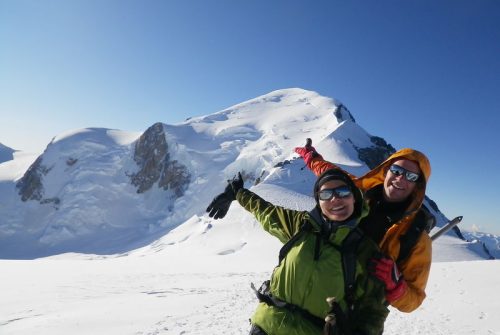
(30, 186)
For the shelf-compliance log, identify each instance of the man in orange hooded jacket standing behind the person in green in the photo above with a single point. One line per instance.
(395, 190)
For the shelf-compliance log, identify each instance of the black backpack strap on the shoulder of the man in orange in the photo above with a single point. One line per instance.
(423, 221)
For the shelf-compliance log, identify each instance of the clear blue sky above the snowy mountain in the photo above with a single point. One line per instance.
(421, 74)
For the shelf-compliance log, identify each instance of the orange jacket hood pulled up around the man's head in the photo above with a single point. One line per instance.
(377, 175)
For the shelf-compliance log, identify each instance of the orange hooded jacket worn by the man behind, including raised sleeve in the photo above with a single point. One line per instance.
(416, 267)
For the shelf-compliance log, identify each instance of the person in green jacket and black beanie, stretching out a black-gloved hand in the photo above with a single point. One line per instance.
(324, 255)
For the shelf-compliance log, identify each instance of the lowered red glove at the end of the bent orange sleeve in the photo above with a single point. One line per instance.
(387, 271)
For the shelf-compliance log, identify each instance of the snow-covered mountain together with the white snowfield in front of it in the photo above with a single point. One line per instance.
(122, 215)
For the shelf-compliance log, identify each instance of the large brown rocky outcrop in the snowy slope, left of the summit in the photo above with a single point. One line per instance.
(155, 166)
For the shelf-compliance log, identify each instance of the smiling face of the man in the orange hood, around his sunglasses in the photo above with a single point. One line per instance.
(398, 188)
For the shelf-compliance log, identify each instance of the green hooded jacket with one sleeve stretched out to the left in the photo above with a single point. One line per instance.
(302, 281)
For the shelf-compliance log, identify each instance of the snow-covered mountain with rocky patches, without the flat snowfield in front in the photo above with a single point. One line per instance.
(105, 191)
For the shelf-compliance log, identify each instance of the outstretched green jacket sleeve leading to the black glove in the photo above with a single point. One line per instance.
(278, 221)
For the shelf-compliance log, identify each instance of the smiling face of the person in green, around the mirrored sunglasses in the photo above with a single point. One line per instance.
(336, 209)
